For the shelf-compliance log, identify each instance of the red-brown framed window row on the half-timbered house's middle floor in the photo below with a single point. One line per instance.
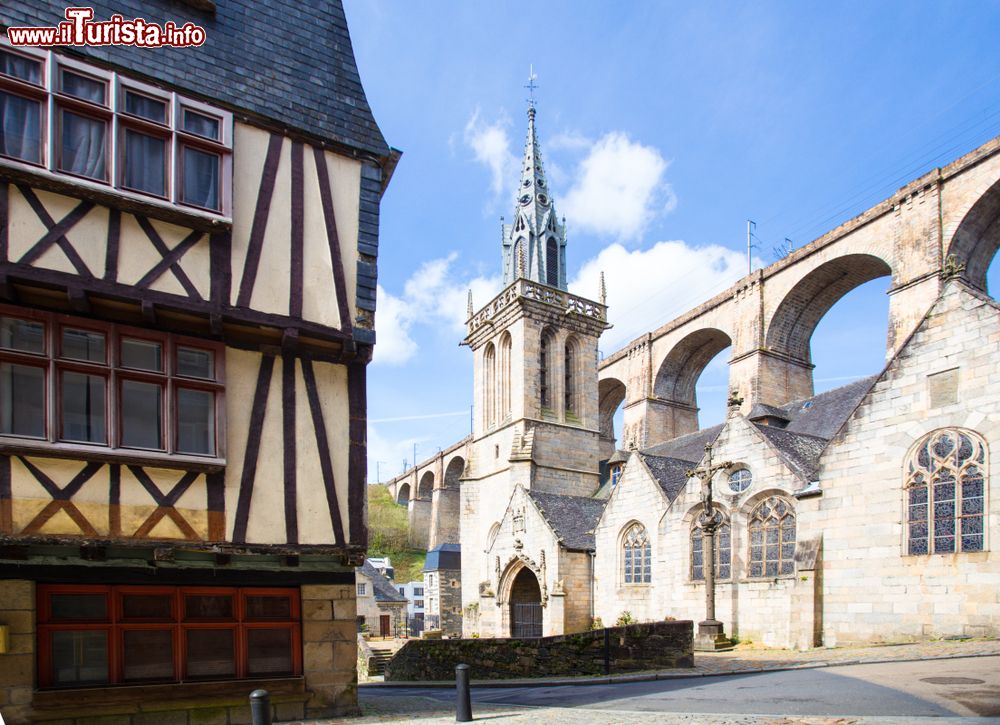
(64, 380)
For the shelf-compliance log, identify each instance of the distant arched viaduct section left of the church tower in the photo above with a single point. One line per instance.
(430, 491)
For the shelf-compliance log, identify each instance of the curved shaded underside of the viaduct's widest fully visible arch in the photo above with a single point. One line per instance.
(790, 328)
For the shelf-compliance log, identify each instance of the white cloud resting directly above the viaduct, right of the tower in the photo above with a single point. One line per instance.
(649, 287)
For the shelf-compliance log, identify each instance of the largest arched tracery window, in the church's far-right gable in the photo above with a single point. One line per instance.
(945, 493)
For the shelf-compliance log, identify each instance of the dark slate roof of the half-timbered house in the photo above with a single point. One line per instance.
(285, 60)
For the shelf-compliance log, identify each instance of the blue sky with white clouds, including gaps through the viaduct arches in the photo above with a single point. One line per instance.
(664, 127)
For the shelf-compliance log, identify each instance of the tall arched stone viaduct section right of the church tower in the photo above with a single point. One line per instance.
(947, 220)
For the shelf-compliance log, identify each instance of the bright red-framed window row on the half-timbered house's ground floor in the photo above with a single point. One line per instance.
(91, 635)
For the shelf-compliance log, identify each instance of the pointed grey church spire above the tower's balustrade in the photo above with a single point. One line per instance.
(535, 235)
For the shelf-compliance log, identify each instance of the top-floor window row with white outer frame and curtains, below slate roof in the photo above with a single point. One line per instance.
(73, 118)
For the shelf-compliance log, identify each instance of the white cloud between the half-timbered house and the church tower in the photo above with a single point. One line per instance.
(431, 296)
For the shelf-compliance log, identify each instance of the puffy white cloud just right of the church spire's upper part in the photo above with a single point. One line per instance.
(619, 187)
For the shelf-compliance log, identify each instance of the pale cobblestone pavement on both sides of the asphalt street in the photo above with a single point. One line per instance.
(379, 706)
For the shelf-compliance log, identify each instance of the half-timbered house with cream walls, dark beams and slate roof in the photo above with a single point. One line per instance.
(188, 238)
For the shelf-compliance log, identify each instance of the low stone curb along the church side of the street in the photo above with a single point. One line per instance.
(652, 676)
